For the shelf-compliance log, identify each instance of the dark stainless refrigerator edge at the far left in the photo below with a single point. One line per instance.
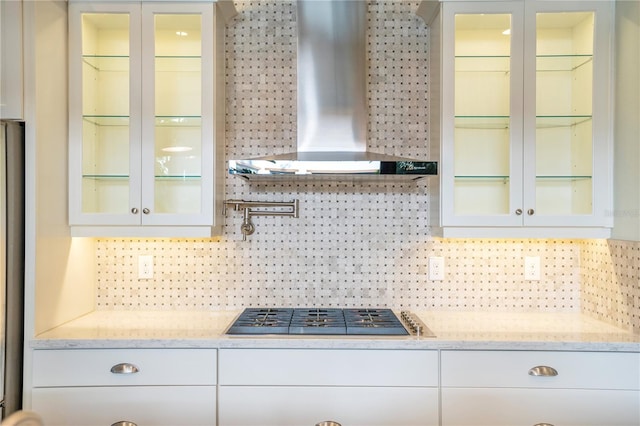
(12, 225)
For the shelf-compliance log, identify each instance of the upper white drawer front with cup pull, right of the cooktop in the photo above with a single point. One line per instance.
(579, 370)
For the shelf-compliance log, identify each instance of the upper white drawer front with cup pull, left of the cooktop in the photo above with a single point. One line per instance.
(92, 367)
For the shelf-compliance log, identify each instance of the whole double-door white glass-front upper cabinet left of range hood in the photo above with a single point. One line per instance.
(146, 118)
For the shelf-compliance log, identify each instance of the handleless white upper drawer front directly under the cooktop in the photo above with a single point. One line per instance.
(328, 367)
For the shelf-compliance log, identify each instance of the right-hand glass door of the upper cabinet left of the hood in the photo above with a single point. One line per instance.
(178, 112)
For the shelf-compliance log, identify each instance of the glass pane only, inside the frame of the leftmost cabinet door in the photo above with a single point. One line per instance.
(106, 120)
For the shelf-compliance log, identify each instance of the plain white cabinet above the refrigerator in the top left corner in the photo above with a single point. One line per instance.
(11, 61)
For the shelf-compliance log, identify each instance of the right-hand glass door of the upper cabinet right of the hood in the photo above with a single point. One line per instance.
(566, 77)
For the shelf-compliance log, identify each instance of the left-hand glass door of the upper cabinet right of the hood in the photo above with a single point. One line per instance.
(486, 139)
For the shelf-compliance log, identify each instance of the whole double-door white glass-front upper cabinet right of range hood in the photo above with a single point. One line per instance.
(523, 117)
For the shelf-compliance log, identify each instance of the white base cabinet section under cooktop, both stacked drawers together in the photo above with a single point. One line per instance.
(304, 387)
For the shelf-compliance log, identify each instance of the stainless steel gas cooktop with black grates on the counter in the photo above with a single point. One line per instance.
(326, 321)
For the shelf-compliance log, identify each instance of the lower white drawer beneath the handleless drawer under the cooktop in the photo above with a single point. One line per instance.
(353, 406)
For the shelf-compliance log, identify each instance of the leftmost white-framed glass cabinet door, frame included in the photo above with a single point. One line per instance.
(104, 126)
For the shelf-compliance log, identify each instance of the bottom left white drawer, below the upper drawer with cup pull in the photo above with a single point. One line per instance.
(140, 405)
